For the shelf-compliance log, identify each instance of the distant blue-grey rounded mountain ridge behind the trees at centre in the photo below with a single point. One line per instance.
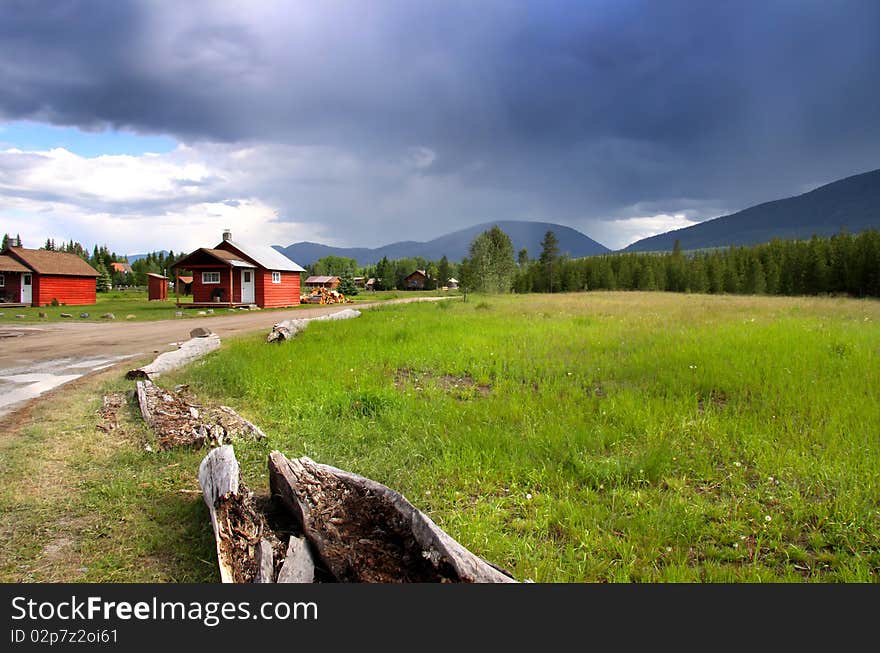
(454, 246)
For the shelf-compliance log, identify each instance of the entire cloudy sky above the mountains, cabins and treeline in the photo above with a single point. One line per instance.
(148, 125)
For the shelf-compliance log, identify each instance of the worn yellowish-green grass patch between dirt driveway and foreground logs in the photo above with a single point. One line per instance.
(79, 504)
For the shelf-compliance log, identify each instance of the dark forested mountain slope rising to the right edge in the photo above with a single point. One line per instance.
(851, 204)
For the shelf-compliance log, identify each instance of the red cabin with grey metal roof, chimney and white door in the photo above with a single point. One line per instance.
(236, 274)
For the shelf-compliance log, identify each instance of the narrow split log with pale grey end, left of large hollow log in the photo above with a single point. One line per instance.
(218, 478)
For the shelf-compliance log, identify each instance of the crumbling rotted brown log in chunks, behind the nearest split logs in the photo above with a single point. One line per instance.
(179, 421)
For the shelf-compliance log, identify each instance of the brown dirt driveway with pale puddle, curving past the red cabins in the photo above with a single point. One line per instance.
(35, 359)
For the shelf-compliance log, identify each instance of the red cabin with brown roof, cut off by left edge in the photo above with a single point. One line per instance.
(36, 277)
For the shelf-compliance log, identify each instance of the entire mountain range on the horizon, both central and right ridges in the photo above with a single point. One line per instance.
(851, 204)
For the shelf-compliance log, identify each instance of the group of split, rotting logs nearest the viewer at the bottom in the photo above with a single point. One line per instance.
(339, 527)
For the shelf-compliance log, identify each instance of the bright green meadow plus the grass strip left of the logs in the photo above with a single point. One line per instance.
(573, 438)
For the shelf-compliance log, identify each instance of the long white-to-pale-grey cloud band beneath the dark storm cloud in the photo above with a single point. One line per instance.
(273, 194)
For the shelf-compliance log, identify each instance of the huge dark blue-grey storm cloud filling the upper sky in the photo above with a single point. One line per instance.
(584, 109)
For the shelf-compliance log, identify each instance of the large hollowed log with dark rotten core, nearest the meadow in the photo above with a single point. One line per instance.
(363, 531)
